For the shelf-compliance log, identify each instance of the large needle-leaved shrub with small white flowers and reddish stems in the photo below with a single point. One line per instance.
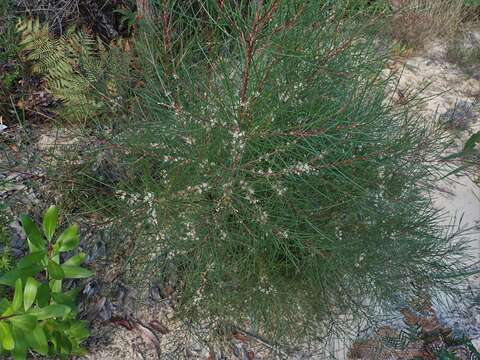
(267, 171)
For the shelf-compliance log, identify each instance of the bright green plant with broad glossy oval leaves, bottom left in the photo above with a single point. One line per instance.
(38, 315)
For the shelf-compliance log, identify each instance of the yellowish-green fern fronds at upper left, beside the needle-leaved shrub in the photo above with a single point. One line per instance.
(72, 64)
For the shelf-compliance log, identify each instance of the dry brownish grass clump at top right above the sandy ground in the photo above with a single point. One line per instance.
(417, 21)
